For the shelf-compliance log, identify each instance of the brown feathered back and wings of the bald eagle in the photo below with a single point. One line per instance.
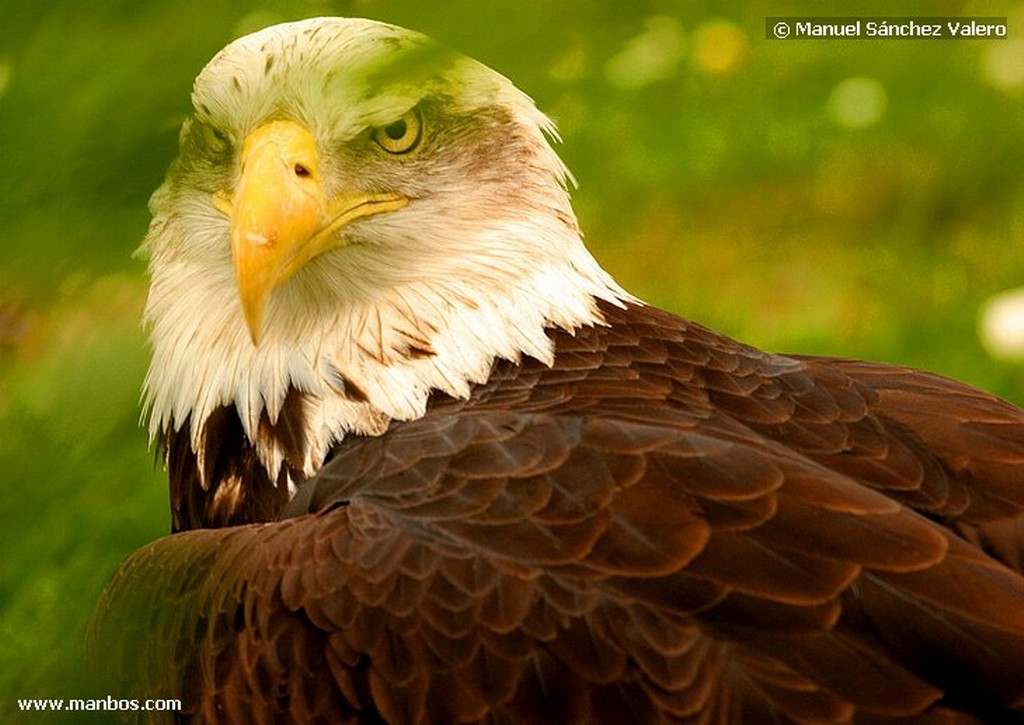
(666, 526)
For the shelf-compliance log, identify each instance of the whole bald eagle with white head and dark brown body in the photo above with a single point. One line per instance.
(430, 463)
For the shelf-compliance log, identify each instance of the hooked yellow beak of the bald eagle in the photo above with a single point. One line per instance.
(281, 217)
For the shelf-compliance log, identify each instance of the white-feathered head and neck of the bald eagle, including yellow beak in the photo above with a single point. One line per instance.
(360, 218)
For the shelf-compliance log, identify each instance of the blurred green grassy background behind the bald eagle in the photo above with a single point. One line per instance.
(850, 198)
